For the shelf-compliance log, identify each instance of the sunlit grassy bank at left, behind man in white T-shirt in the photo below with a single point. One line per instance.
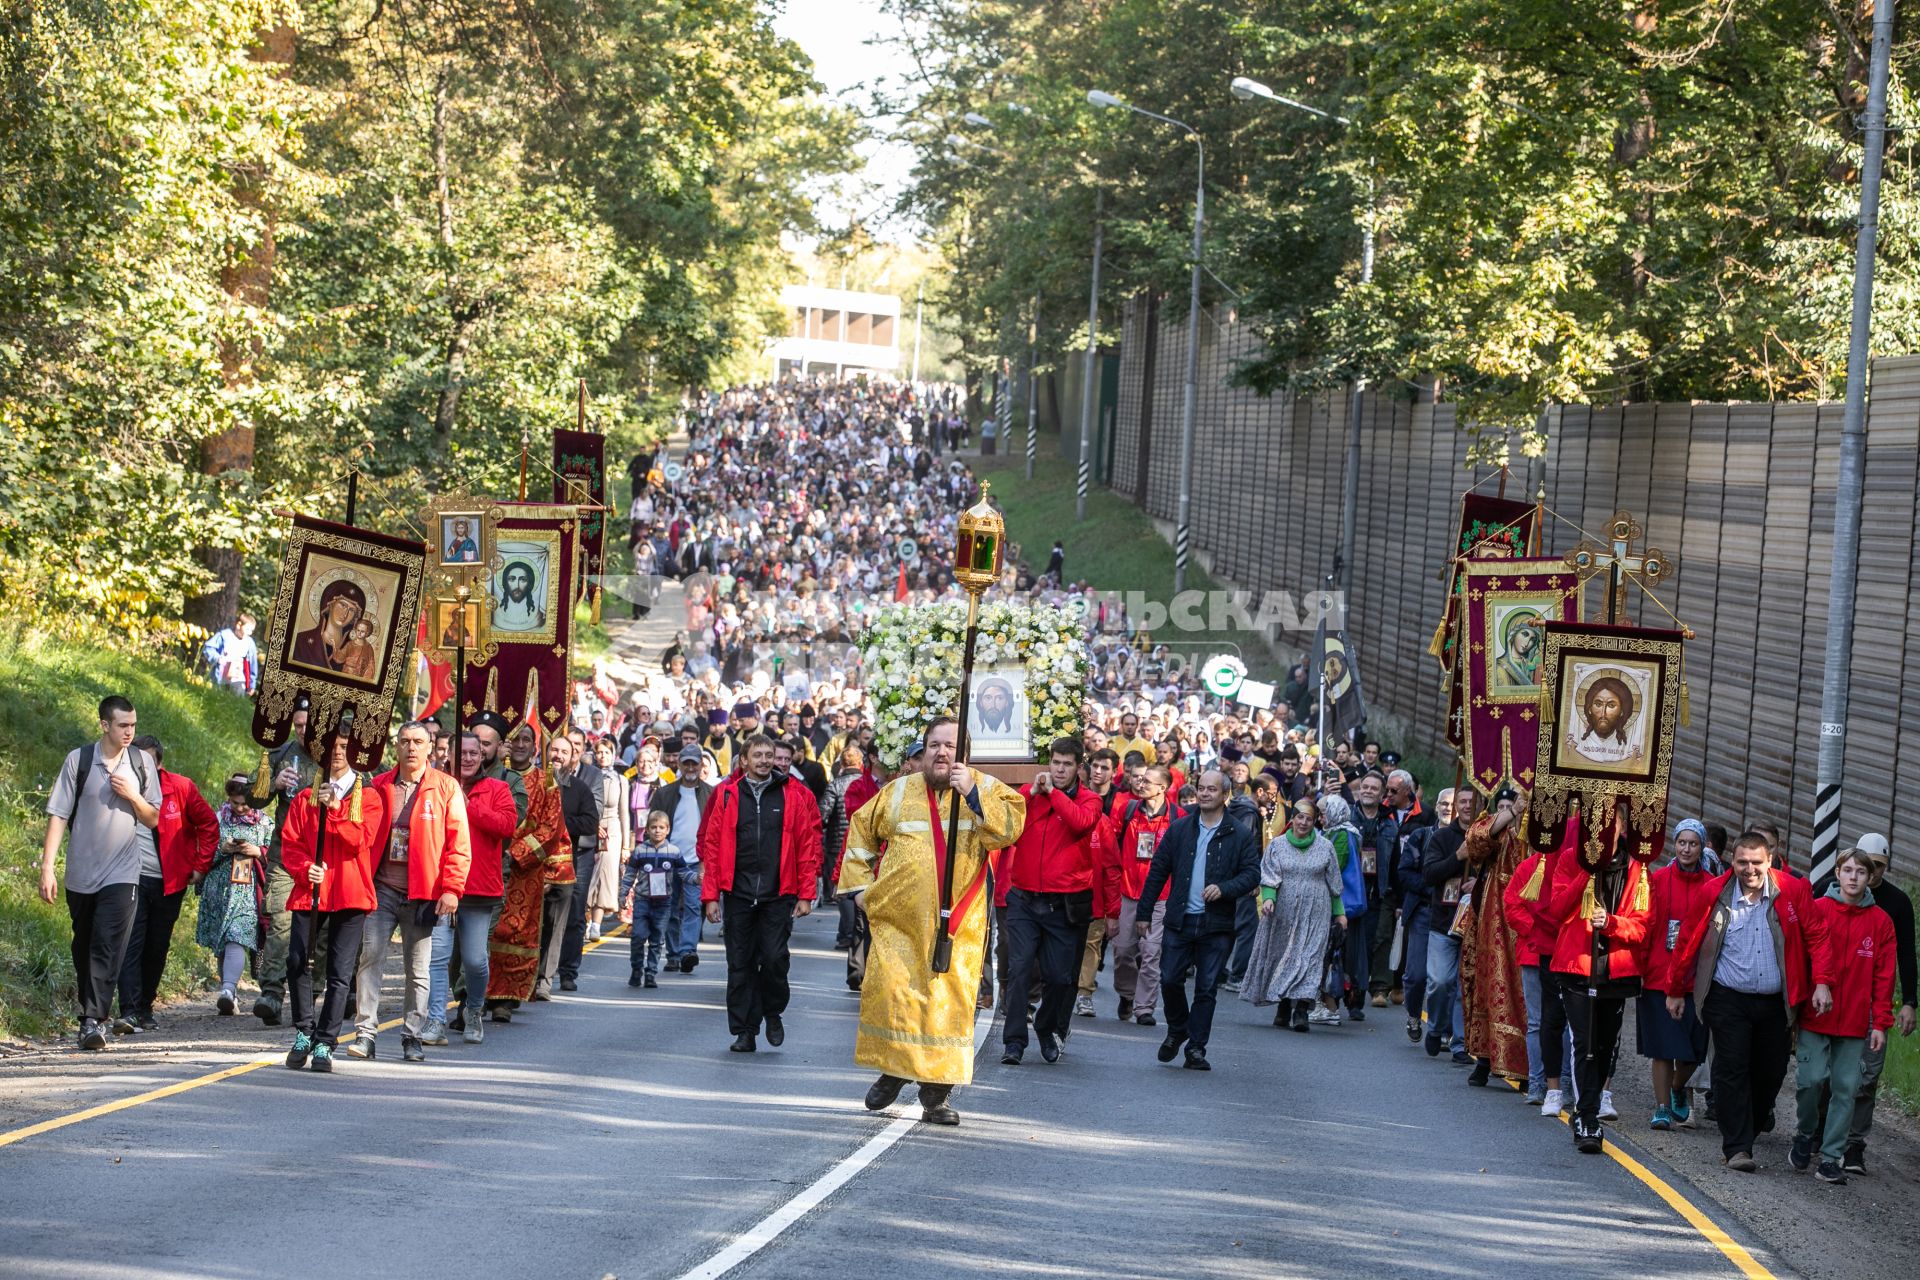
(53, 692)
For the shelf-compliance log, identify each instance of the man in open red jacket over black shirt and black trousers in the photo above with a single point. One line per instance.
(761, 853)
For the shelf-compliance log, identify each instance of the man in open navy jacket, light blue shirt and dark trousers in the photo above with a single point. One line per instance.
(1211, 863)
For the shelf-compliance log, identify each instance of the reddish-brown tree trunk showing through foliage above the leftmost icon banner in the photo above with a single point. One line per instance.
(229, 454)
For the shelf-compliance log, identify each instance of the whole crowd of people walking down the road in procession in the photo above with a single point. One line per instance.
(1176, 847)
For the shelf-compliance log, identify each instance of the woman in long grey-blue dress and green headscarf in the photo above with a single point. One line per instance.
(1299, 907)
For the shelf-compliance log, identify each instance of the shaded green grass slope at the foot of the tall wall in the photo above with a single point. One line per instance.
(1115, 550)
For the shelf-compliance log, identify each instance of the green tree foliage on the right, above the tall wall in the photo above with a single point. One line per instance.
(1573, 201)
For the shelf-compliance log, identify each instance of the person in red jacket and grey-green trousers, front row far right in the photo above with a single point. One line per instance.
(1860, 941)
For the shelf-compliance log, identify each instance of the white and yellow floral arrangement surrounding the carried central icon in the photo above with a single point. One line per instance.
(911, 667)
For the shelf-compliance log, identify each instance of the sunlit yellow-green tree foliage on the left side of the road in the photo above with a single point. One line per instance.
(464, 208)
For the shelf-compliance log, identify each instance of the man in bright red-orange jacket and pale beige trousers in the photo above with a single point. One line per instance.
(425, 855)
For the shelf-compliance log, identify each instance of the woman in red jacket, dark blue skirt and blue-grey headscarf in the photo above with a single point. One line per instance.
(1673, 1045)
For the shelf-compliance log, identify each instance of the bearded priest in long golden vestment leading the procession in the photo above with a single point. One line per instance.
(919, 1026)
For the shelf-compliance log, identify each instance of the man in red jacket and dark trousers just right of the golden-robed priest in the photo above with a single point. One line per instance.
(1049, 903)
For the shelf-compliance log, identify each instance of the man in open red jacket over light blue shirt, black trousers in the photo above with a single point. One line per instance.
(1756, 953)
